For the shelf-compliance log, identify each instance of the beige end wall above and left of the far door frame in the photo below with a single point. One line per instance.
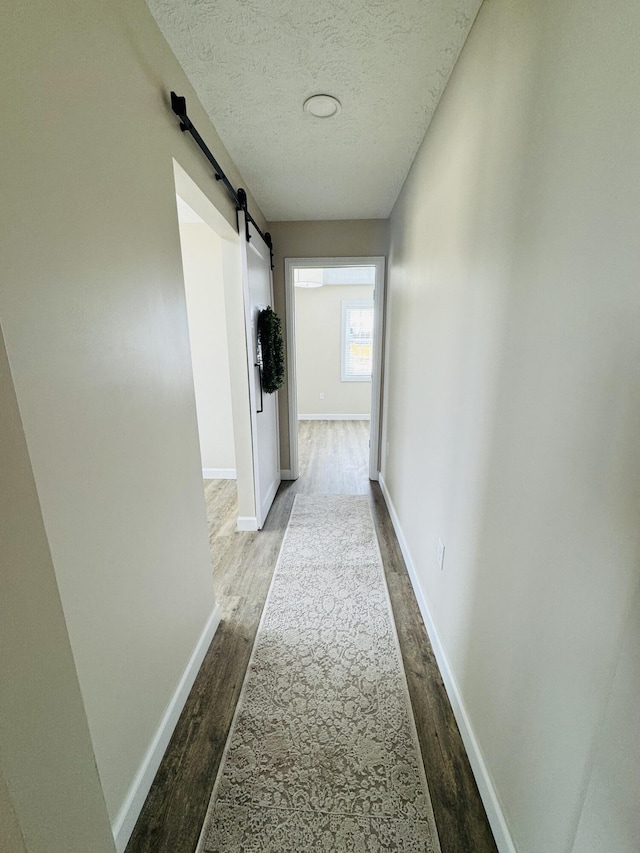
(323, 239)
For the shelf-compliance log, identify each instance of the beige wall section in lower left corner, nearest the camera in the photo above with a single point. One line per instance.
(50, 795)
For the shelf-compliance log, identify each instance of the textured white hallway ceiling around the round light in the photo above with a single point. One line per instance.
(254, 62)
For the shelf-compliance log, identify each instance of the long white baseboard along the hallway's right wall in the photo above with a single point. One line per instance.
(481, 772)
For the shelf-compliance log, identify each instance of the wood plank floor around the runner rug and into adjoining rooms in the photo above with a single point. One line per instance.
(333, 460)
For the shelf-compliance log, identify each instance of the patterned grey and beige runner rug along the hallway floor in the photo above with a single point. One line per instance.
(323, 754)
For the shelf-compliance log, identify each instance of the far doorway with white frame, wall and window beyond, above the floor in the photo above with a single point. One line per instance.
(334, 346)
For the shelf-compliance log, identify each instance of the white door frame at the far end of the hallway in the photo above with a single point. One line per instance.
(378, 262)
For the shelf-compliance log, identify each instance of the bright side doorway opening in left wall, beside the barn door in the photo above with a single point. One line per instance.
(212, 268)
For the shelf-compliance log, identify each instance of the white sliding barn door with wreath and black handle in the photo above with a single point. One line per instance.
(258, 294)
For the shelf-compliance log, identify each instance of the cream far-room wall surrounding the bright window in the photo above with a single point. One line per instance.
(318, 352)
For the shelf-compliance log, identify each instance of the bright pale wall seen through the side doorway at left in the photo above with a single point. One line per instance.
(204, 288)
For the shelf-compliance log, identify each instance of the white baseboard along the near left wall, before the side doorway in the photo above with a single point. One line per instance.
(137, 793)
